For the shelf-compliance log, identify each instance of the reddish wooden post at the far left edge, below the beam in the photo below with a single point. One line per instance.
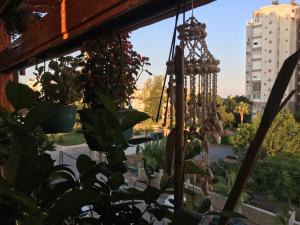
(4, 42)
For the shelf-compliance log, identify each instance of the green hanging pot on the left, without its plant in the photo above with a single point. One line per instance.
(62, 121)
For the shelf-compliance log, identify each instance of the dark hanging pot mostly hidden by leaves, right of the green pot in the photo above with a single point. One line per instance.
(90, 140)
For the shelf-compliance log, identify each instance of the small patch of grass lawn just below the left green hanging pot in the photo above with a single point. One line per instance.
(68, 139)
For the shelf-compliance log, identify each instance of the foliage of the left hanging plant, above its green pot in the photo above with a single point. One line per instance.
(60, 83)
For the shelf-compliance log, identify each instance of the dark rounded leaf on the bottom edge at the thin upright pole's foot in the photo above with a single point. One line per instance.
(182, 216)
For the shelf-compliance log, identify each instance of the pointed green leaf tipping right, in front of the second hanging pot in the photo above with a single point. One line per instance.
(129, 118)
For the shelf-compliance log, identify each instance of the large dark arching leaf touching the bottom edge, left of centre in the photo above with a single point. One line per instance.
(71, 203)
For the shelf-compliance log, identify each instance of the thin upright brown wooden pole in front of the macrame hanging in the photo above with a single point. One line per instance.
(179, 110)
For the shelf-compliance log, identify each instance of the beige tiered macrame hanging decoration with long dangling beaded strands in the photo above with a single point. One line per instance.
(200, 90)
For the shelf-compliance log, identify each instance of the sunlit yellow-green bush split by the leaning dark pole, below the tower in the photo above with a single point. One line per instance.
(283, 136)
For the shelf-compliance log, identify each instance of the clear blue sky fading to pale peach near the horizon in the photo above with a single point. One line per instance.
(226, 27)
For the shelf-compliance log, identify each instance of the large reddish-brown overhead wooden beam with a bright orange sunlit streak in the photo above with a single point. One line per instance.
(62, 31)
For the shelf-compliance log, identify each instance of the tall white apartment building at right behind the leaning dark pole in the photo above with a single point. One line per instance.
(273, 34)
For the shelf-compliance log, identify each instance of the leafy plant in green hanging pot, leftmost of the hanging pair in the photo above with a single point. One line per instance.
(59, 85)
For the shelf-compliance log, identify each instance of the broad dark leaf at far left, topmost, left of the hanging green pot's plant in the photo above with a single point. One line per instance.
(20, 95)
